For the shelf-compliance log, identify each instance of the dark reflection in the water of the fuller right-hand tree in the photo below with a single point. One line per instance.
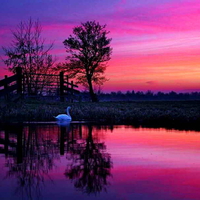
(90, 166)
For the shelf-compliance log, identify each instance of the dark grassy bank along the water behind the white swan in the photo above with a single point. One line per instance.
(175, 114)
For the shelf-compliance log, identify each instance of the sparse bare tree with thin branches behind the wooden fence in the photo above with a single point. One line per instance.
(28, 51)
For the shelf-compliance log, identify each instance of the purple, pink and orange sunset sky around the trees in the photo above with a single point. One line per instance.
(156, 43)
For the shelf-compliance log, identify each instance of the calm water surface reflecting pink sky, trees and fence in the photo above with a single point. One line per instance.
(78, 161)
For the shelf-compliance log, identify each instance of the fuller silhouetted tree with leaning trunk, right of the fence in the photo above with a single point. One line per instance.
(88, 51)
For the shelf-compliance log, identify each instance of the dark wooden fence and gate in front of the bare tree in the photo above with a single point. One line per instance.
(23, 84)
